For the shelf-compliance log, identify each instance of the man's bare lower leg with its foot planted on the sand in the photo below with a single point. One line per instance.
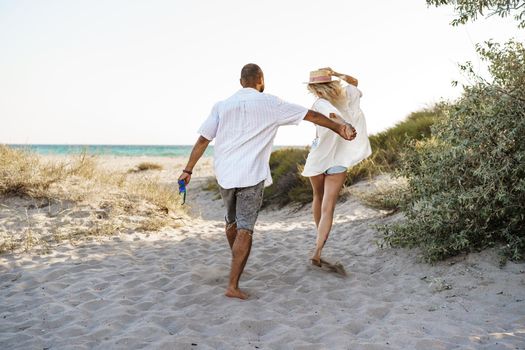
(240, 253)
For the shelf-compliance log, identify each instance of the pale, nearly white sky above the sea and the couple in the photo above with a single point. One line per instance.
(149, 72)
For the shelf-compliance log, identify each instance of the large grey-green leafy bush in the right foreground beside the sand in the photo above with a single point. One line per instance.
(467, 182)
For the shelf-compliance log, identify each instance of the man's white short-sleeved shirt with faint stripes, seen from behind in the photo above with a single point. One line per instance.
(244, 127)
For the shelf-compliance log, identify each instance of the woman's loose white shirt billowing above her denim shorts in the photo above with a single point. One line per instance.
(329, 149)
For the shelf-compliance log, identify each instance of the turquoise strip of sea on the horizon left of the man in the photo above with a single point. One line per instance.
(115, 150)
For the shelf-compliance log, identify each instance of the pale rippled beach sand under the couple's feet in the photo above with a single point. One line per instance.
(164, 290)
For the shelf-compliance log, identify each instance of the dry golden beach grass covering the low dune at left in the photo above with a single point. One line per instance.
(47, 202)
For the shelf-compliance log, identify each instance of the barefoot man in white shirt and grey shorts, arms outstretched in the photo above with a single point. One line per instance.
(244, 127)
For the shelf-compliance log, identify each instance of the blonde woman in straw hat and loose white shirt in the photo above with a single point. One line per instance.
(330, 155)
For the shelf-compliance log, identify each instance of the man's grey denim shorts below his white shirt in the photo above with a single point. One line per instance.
(242, 205)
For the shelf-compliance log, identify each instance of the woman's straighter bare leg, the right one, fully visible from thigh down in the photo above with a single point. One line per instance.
(332, 187)
